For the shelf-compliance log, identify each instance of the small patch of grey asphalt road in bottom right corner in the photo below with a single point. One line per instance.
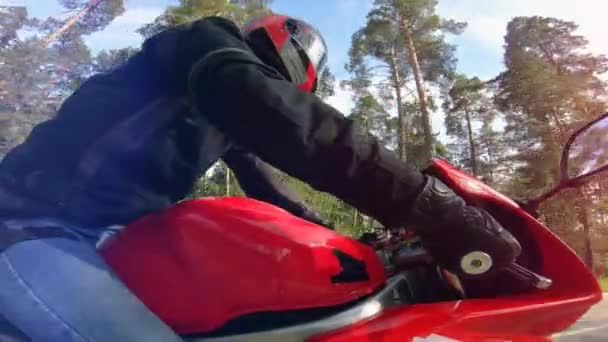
(593, 327)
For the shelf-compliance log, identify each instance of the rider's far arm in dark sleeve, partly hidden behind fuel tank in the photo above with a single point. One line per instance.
(258, 180)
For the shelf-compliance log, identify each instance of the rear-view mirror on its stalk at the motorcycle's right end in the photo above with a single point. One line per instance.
(584, 156)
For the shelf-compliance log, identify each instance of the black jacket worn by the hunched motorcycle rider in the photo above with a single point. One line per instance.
(134, 140)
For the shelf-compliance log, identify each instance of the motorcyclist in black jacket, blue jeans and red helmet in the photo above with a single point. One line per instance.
(134, 141)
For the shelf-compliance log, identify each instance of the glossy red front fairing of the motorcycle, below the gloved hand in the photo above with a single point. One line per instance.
(504, 309)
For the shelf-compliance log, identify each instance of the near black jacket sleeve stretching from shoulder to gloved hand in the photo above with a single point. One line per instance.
(292, 130)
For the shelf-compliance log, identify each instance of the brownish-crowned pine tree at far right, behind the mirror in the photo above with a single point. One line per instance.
(550, 87)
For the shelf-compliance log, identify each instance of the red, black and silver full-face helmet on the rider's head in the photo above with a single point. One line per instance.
(299, 46)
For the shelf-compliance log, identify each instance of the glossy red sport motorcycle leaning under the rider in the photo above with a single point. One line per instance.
(234, 269)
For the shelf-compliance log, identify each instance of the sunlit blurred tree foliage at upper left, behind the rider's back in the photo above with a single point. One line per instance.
(31, 92)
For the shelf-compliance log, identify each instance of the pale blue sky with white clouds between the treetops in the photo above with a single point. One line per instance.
(479, 48)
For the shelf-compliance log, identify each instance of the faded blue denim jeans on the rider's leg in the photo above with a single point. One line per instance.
(58, 289)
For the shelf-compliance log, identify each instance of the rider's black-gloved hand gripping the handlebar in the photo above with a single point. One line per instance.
(464, 239)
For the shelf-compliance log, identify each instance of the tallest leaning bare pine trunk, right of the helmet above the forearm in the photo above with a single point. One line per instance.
(426, 119)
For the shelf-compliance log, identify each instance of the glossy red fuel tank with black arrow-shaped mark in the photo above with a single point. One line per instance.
(204, 262)
